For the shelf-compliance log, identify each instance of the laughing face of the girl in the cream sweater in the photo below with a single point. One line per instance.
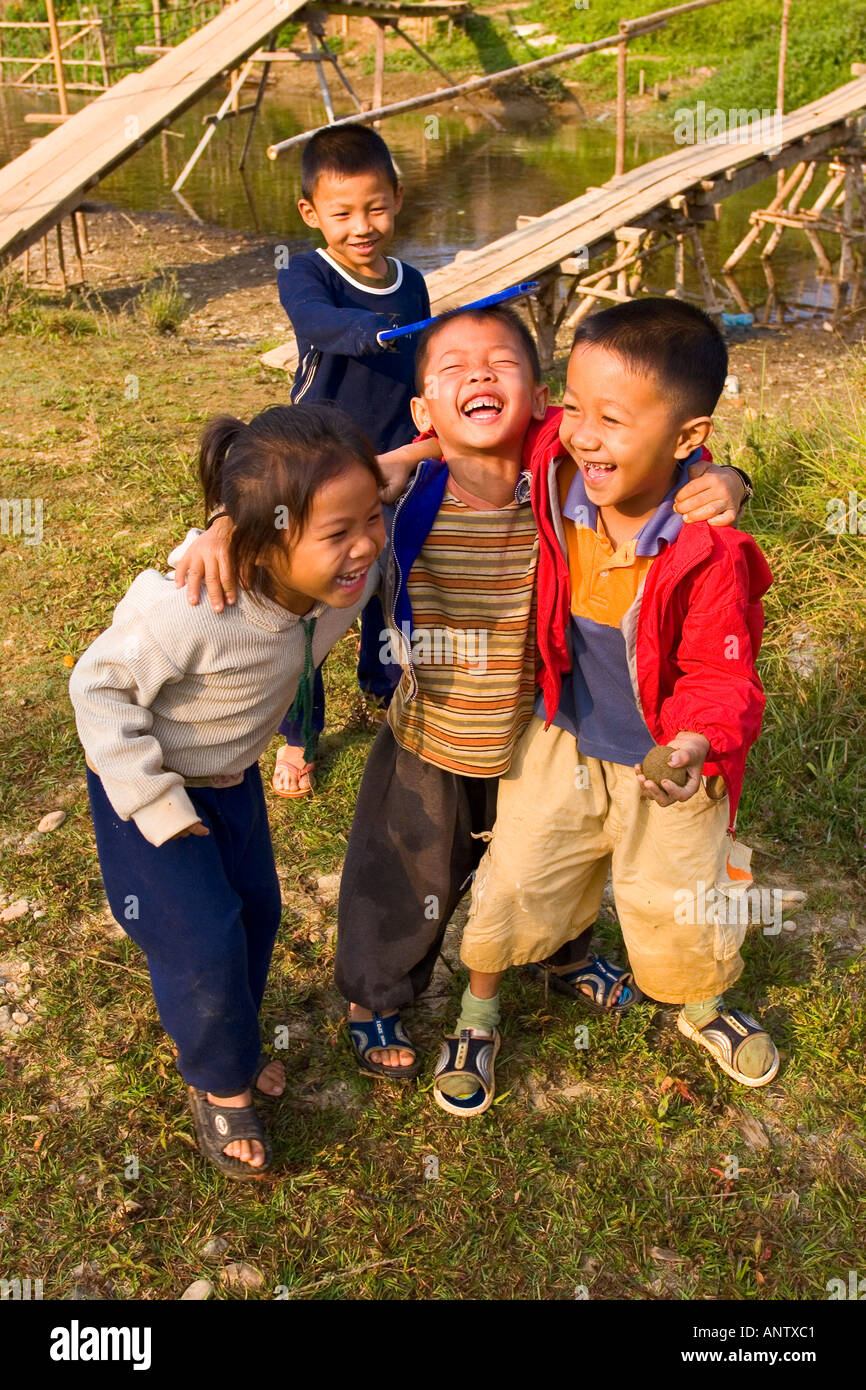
(332, 558)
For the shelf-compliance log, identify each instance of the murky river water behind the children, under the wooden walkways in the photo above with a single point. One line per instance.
(465, 181)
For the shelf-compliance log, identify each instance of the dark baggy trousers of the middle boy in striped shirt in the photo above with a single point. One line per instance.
(411, 860)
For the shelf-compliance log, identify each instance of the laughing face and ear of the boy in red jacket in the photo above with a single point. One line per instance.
(626, 436)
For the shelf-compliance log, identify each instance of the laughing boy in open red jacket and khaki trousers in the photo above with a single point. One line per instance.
(648, 635)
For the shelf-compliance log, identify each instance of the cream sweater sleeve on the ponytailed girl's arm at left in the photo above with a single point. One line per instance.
(112, 690)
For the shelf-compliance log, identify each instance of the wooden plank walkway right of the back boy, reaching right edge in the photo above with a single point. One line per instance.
(632, 197)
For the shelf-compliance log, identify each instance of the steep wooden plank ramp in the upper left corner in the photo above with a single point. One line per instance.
(51, 180)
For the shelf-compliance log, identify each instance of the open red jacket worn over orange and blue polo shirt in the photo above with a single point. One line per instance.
(693, 636)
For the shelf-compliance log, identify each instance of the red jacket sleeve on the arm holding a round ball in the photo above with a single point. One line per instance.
(719, 693)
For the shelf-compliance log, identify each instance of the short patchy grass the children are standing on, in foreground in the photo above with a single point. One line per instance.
(548, 1192)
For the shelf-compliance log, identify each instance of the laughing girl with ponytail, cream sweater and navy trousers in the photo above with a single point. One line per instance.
(176, 704)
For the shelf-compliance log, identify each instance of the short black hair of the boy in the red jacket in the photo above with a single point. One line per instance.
(669, 340)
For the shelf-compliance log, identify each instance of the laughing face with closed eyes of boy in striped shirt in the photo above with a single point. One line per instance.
(479, 390)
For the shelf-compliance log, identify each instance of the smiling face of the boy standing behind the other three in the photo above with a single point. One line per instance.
(357, 216)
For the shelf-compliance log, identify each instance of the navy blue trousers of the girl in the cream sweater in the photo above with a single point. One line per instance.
(205, 910)
